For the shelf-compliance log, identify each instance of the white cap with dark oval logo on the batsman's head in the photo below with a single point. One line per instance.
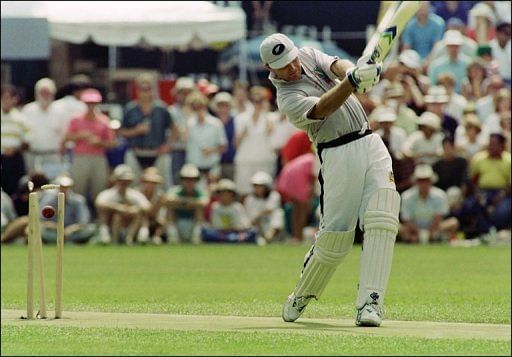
(277, 50)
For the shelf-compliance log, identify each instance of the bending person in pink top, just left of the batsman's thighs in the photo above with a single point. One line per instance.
(296, 184)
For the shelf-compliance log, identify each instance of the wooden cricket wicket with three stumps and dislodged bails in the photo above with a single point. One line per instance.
(35, 247)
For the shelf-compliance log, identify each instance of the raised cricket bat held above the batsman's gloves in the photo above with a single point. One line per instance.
(389, 29)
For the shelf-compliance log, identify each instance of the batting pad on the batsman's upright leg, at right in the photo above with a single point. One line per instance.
(380, 229)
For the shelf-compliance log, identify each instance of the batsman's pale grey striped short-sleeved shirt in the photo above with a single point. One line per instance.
(296, 98)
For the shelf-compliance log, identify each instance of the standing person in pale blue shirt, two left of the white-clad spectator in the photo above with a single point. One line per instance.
(206, 138)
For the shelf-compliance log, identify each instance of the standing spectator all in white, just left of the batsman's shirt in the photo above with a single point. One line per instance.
(253, 137)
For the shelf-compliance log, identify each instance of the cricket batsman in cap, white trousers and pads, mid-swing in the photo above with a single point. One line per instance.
(315, 91)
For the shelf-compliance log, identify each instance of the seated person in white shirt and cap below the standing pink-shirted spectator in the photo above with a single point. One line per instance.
(121, 206)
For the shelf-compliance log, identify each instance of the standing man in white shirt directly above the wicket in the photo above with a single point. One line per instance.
(46, 132)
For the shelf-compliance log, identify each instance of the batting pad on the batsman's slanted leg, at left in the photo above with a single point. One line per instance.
(329, 250)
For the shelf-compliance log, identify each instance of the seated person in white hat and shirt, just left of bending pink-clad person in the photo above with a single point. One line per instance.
(263, 207)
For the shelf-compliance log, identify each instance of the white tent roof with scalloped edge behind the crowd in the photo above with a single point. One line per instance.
(168, 24)
